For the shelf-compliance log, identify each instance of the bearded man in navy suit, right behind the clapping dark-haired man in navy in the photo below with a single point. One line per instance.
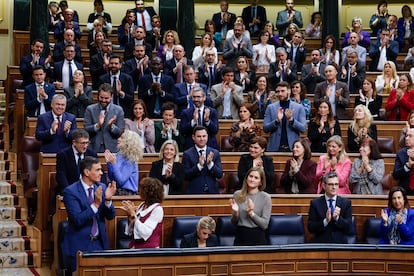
(199, 115)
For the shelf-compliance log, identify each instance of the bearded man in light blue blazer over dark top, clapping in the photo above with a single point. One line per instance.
(285, 120)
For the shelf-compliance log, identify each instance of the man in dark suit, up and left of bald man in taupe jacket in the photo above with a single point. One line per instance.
(314, 72)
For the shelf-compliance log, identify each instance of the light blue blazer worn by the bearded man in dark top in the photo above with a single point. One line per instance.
(293, 129)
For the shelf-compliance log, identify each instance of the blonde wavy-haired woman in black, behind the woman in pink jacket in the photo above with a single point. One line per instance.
(360, 128)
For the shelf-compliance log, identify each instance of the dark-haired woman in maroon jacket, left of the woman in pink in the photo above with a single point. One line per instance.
(298, 176)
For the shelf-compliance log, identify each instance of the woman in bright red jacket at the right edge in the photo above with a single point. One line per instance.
(401, 100)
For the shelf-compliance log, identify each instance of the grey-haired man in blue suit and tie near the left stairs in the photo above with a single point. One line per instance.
(54, 128)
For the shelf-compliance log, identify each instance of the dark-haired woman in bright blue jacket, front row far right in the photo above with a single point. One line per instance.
(397, 225)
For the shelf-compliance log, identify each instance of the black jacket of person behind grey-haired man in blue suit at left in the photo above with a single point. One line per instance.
(78, 105)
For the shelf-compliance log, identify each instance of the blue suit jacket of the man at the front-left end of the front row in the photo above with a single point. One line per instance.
(80, 217)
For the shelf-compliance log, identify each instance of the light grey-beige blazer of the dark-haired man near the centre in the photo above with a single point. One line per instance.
(218, 100)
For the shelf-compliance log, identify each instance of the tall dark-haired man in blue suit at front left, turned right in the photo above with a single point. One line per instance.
(88, 204)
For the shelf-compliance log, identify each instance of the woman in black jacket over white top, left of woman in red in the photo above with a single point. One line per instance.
(368, 96)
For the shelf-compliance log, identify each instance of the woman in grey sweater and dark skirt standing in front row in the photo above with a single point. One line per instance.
(251, 209)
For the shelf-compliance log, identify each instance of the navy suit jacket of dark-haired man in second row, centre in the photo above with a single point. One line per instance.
(204, 181)
